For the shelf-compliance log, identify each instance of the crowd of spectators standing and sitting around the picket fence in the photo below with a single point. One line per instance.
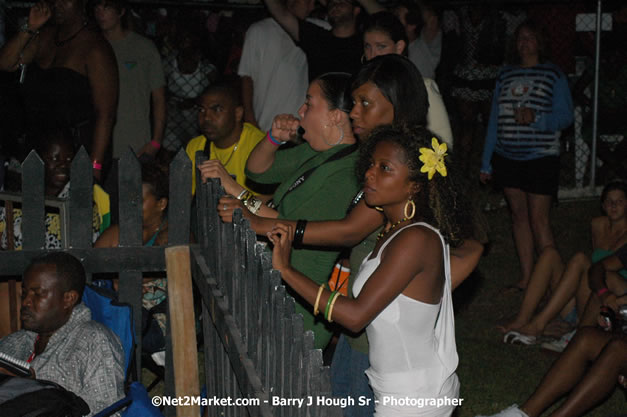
(335, 138)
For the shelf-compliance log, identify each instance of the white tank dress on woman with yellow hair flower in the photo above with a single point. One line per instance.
(412, 352)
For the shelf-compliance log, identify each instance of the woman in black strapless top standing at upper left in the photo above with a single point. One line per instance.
(83, 55)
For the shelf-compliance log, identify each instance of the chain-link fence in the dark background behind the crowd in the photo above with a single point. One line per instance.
(201, 41)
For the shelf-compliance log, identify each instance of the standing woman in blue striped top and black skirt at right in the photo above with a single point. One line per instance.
(530, 107)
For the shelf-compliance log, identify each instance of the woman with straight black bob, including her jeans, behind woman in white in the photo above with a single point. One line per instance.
(387, 89)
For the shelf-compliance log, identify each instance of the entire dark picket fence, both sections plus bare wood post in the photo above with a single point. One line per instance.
(254, 344)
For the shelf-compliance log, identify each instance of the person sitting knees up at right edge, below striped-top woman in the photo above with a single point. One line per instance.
(569, 286)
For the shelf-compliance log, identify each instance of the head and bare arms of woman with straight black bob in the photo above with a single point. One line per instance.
(387, 89)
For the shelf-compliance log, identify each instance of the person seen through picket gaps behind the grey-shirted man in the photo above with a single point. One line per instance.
(154, 233)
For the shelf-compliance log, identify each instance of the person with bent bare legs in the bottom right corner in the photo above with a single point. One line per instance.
(588, 371)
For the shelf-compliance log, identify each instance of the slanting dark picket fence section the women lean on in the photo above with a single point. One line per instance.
(254, 342)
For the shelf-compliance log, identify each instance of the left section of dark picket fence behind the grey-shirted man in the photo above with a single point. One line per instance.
(129, 260)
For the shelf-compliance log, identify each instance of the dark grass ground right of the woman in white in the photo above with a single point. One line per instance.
(494, 375)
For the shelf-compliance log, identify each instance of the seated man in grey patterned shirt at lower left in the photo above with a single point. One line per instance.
(58, 337)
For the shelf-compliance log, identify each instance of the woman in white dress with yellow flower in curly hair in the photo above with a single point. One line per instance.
(403, 288)
